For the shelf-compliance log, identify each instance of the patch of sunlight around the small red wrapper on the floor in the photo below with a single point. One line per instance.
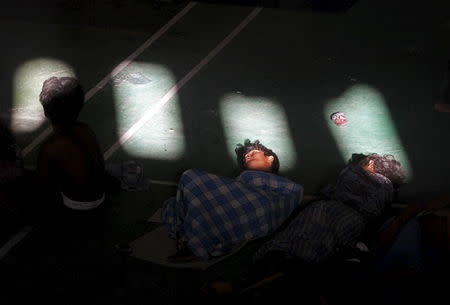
(370, 127)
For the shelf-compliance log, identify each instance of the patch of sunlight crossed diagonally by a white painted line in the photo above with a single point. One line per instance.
(137, 88)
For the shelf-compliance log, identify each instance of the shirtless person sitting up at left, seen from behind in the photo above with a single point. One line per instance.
(70, 161)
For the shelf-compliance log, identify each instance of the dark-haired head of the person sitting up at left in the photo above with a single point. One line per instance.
(62, 99)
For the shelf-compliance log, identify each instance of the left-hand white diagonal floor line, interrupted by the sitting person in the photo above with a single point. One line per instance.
(115, 71)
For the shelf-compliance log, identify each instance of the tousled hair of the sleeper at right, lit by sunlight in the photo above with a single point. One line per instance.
(385, 165)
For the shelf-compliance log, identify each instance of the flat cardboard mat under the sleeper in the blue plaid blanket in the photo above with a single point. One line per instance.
(155, 246)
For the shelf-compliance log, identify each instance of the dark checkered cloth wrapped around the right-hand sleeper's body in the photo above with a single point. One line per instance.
(326, 227)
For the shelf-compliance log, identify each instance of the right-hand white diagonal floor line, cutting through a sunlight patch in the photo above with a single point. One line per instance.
(156, 108)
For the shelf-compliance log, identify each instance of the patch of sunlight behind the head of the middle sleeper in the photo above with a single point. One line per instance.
(257, 118)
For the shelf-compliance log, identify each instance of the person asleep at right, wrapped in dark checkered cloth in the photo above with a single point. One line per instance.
(322, 229)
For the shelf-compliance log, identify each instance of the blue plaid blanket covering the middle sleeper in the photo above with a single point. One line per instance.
(213, 213)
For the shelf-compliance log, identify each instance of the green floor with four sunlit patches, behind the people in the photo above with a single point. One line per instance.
(277, 80)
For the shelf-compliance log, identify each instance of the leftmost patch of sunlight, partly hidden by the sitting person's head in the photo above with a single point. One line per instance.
(27, 113)
